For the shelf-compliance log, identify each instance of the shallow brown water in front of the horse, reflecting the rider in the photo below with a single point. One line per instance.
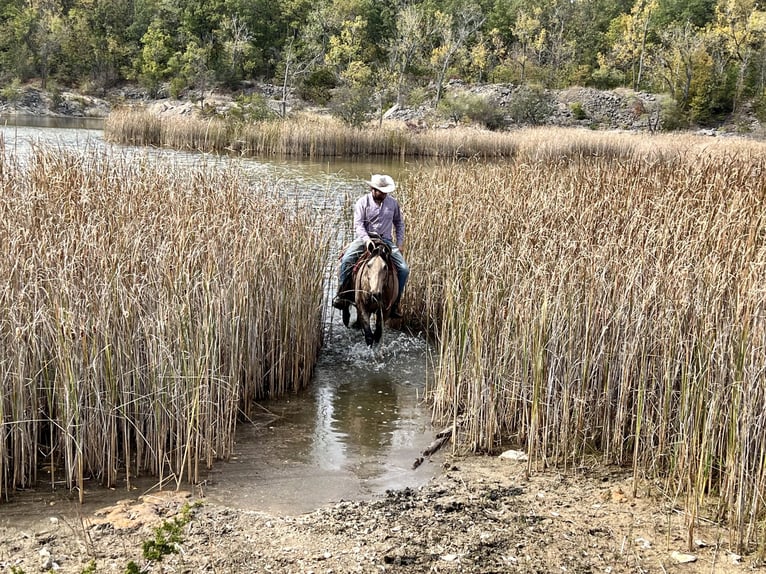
(354, 434)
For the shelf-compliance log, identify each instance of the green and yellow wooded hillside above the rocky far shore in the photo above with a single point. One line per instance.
(708, 56)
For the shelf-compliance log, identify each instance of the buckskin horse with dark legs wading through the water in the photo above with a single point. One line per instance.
(376, 287)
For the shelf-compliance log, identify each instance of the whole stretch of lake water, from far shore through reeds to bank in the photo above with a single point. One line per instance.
(353, 434)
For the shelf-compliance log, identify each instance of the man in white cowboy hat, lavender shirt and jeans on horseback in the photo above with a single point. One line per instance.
(376, 213)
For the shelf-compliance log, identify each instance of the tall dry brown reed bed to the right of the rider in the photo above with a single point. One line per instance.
(609, 302)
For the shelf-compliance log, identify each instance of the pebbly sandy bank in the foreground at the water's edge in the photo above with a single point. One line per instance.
(481, 515)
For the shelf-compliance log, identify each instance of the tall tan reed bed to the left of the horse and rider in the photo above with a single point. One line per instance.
(143, 306)
